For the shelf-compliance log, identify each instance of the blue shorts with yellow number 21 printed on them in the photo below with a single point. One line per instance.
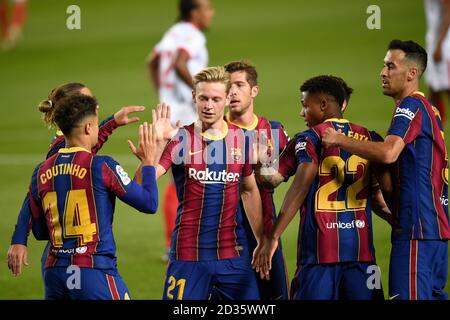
(229, 279)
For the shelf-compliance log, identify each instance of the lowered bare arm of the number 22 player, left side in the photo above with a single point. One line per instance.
(293, 200)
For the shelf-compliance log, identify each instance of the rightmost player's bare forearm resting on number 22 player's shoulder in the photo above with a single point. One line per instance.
(386, 152)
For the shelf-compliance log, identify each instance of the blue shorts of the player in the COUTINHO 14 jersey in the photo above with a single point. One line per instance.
(85, 284)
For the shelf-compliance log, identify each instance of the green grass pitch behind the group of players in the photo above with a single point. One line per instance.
(289, 41)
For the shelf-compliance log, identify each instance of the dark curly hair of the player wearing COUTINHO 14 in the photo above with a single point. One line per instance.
(70, 111)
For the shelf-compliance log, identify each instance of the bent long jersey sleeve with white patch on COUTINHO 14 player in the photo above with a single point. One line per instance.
(143, 198)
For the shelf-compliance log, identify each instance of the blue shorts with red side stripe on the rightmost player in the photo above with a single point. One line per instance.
(418, 270)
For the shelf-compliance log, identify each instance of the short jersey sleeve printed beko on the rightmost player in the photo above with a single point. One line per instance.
(407, 120)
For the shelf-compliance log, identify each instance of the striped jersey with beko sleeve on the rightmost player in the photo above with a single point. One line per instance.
(421, 172)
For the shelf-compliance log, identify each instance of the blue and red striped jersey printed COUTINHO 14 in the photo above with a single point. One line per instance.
(74, 192)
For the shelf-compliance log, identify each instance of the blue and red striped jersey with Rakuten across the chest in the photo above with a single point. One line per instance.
(208, 171)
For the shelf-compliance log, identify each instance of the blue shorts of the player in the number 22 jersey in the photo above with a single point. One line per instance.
(337, 281)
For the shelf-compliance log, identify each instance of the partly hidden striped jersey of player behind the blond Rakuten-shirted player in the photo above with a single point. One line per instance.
(277, 138)
